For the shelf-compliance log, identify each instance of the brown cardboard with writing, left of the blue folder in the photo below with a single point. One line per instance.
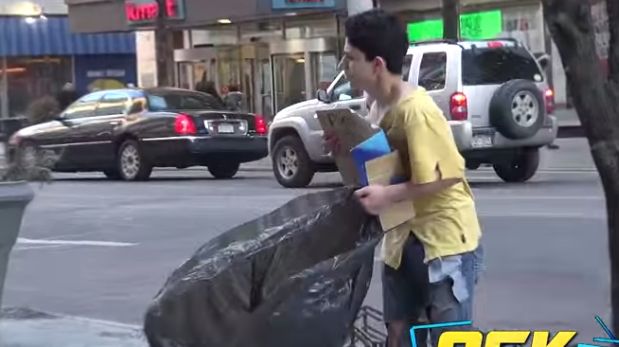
(351, 129)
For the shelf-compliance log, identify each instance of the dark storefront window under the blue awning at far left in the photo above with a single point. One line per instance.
(33, 78)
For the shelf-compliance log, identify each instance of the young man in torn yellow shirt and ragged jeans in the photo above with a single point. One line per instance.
(431, 262)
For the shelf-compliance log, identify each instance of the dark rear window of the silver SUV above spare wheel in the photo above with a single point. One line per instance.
(498, 65)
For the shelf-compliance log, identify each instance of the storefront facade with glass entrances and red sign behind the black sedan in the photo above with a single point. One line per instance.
(276, 52)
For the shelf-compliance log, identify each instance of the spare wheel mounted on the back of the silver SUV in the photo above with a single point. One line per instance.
(517, 109)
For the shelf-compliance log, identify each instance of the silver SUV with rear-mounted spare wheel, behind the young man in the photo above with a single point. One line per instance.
(493, 93)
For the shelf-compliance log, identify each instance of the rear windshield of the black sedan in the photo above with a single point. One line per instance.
(170, 101)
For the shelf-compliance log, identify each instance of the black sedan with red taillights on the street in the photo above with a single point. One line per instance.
(125, 133)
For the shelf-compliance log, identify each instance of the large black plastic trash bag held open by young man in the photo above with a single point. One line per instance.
(294, 277)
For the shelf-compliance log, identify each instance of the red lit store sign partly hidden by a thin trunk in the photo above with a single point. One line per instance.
(146, 11)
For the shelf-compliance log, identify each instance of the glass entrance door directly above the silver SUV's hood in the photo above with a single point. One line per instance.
(289, 79)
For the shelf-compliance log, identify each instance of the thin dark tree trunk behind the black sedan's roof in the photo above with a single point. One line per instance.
(164, 49)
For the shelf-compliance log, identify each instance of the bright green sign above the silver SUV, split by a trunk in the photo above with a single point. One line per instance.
(473, 26)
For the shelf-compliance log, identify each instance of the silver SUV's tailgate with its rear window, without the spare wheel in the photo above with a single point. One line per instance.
(486, 66)
